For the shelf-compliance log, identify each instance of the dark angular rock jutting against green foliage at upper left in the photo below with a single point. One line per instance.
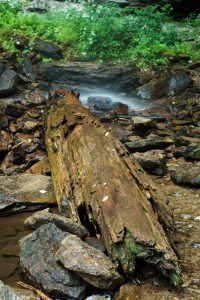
(46, 49)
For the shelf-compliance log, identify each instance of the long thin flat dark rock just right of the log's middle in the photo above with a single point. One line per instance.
(152, 142)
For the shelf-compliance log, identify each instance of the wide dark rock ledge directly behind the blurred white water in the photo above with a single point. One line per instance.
(75, 74)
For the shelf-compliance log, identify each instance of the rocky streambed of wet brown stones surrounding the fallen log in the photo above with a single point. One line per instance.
(60, 257)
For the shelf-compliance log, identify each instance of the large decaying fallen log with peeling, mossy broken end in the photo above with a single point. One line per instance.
(98, 184)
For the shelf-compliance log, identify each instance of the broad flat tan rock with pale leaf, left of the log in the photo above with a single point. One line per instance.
(23, 190)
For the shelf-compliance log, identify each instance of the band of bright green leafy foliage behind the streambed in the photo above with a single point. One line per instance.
(103, 32)
